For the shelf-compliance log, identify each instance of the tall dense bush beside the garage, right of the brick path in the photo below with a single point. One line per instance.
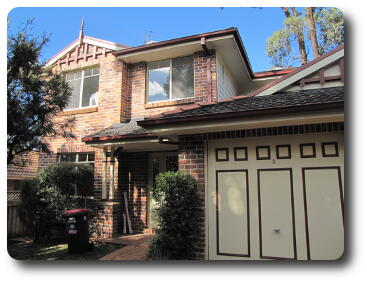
(178, 217)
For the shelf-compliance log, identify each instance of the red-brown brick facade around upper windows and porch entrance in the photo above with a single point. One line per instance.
(122, 91)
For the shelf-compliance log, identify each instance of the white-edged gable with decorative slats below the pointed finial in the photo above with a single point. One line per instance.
(89, 47)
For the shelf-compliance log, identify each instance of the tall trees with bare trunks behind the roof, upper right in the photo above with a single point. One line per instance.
(322, 29)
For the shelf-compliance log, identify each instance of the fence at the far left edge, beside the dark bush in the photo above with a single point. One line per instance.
(15, 226)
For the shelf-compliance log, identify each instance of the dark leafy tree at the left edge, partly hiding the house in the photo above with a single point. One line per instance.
(34, 98)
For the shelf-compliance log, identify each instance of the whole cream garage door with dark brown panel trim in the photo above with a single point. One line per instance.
(276, 197)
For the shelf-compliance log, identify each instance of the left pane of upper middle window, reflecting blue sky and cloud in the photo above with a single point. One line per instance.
(159, 80)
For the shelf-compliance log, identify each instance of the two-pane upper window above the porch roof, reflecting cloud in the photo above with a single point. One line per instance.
(170, 79)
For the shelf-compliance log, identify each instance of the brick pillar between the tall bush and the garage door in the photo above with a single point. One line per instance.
(191, 161)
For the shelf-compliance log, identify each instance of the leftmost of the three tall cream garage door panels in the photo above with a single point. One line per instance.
(232, 213)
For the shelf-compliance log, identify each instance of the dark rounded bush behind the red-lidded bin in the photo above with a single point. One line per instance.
(57, 188)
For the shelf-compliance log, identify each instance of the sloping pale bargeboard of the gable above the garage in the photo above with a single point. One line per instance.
(304, 73)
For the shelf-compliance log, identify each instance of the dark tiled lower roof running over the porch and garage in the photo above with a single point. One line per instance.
(280, 100)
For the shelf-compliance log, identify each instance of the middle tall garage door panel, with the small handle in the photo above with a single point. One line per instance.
(276, 209)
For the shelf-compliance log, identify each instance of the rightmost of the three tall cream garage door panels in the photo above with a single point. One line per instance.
(323, 197)
